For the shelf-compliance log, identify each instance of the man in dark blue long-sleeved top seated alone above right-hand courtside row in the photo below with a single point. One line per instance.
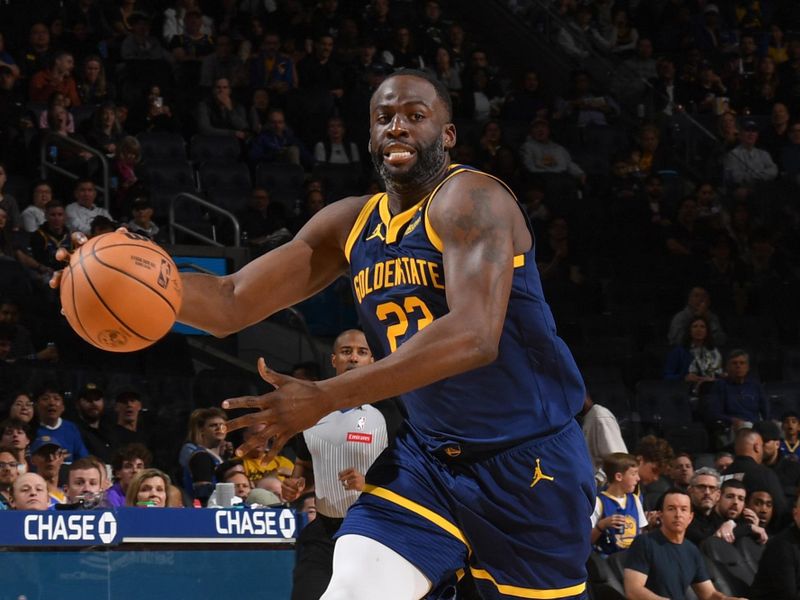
(737, 401)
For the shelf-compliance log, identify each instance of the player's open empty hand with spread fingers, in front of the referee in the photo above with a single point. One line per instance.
(294, 406)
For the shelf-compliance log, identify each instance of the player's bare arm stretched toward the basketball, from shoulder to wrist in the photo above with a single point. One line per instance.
(276, 280)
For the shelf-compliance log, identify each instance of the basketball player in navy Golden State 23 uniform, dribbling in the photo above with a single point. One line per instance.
(490, 472)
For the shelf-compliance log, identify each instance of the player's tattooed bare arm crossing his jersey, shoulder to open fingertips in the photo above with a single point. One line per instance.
(481, 228)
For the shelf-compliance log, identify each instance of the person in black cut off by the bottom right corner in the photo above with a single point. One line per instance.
(778, 574)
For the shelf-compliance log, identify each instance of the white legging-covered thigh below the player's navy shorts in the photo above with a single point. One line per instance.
(364, 569)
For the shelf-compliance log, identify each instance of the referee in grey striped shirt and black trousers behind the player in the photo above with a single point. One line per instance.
(332, 458)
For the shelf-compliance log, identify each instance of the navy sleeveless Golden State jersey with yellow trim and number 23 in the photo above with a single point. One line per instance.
(532, 389)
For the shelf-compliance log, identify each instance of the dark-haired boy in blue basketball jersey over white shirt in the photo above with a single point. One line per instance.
(618, 516)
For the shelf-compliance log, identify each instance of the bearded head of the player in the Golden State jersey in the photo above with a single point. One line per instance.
(410, 134)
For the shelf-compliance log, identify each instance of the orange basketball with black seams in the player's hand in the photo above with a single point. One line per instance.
(121, 292)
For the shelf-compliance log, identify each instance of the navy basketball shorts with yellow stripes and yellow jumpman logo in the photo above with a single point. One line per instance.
(519, 519)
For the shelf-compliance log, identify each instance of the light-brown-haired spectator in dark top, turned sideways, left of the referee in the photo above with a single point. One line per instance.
(210, 449)
